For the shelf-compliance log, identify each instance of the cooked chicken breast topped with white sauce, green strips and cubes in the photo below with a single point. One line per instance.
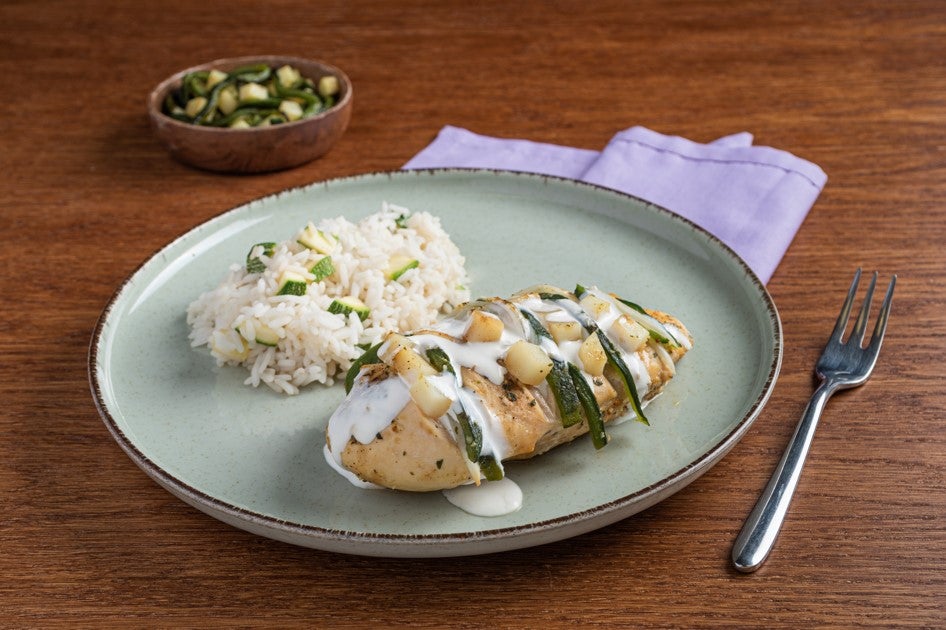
(499, 380)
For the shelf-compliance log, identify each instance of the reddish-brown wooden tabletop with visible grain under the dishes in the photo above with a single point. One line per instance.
(856, 87)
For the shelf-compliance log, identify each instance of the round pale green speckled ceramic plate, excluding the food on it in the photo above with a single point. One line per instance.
(253, 458)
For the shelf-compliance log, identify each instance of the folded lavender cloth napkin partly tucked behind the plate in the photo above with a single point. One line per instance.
(753, 198)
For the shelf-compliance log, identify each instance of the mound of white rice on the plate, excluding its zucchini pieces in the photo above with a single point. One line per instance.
(315, 345)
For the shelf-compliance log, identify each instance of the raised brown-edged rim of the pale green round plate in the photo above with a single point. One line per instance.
(448, 543)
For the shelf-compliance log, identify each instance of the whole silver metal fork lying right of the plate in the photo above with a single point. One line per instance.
(842, 365)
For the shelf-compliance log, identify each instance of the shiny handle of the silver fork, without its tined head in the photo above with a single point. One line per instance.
(761, 528)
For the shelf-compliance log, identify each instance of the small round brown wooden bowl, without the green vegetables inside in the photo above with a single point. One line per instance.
(257, 149)
